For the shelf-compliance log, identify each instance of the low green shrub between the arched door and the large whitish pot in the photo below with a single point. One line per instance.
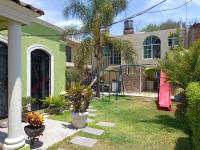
(56, 103)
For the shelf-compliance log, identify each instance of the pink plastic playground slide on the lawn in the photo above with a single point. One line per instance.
(164, 92)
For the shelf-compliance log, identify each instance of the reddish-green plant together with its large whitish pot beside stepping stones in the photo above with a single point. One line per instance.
(79, 97)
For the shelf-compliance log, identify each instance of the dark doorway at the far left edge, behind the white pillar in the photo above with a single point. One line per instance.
(3, 80)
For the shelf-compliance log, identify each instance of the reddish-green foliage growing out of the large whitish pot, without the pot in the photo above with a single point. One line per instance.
(79, 97)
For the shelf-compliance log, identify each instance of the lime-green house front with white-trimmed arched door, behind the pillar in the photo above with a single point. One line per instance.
(43, 62)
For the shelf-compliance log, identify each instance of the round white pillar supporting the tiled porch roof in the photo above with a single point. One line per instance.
(15, 138)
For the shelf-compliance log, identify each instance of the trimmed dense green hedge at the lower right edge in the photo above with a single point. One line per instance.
(193, 112)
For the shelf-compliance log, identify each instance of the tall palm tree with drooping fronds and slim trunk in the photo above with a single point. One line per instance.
(95, 16)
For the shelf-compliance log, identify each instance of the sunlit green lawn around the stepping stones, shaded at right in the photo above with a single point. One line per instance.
(139, 126)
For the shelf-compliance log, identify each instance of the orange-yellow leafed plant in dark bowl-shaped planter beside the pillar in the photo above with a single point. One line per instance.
(35, 127)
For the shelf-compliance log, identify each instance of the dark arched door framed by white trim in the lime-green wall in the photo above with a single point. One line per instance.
(40, 76)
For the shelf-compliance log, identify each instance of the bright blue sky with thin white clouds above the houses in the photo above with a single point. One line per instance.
(54, 13)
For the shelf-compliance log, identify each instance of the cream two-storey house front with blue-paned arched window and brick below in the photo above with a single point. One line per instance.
(150, 47)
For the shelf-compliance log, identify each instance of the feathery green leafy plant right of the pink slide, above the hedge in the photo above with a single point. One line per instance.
(182, 66)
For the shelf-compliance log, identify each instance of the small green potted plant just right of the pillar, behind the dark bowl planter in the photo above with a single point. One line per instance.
(26, 106)
